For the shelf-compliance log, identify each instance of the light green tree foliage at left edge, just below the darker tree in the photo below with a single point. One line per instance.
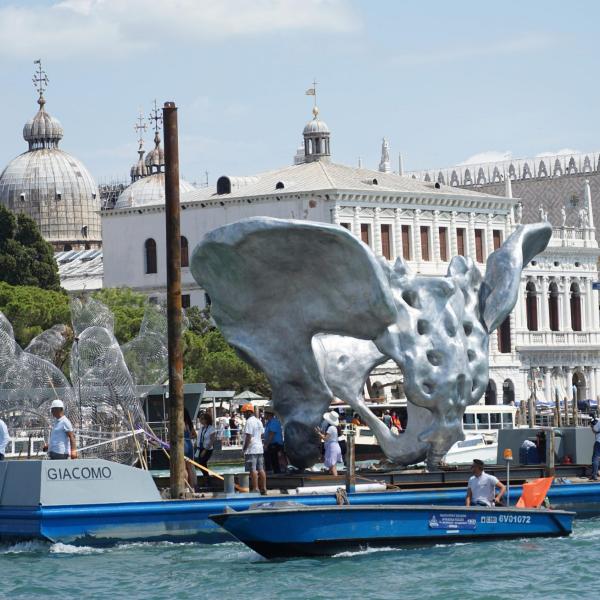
(32, 310)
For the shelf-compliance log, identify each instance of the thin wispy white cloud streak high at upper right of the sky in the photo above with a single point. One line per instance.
(527, 42)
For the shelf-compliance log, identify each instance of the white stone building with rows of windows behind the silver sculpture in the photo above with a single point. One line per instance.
(551, 340)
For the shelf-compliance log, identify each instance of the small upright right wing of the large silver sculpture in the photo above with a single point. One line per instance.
(499, 290)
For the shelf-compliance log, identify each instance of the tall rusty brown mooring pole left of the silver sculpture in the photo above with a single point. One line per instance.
(174, 318)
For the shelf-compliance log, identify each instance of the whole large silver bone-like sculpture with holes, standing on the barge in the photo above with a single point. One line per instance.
(312, 306)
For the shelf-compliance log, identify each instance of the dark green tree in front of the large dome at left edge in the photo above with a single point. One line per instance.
(25, 257)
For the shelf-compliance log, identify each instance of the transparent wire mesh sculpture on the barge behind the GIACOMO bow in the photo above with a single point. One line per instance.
(101, 400)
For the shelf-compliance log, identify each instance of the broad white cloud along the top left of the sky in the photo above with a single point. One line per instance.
(115, 27)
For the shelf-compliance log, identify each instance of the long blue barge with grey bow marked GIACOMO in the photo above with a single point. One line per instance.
(95, 502)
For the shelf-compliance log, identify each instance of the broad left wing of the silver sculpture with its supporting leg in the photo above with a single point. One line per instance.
(273, 284)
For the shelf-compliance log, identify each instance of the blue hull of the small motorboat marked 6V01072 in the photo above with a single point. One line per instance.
(326, 531)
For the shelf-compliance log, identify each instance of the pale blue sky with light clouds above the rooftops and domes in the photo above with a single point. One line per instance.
(445, 82)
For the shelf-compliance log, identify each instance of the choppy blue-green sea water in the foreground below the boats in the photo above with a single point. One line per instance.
(553, 568)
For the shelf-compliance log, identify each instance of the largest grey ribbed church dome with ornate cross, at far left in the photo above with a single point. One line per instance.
(52, 187)
